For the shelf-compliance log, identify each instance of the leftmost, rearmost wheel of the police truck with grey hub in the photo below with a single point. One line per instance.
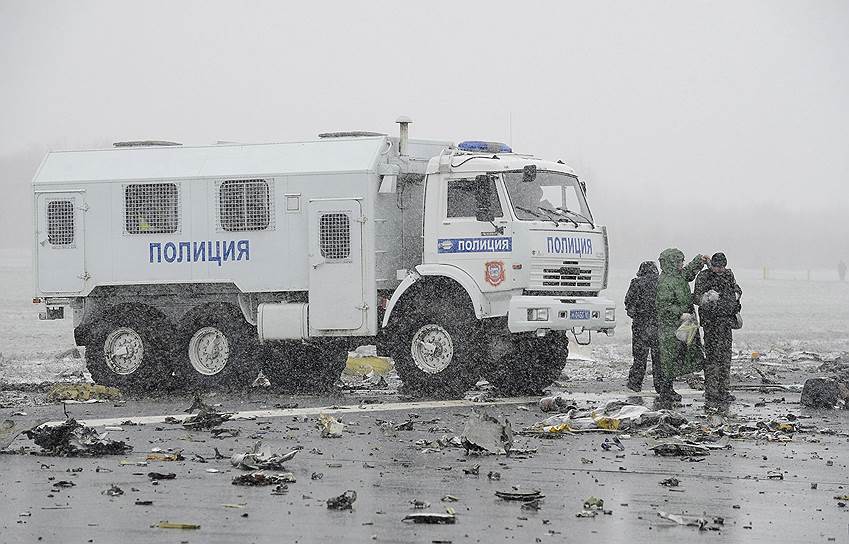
(130, 352)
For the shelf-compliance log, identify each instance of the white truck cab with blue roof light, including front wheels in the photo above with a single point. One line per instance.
(513, 240)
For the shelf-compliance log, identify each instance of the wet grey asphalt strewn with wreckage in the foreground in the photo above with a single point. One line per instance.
(388, 471)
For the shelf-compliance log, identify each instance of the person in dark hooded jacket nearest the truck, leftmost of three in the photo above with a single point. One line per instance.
(641, 307)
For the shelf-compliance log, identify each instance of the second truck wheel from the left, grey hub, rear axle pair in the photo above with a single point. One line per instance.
(218, 351)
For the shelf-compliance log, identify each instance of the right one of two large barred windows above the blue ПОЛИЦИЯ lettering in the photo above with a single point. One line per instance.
(244, 204)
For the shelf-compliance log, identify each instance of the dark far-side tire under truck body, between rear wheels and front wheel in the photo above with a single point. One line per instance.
(300, 367)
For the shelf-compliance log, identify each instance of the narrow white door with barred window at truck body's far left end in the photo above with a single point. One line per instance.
(60, 251)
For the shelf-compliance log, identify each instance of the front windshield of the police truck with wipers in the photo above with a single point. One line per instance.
(552, 191)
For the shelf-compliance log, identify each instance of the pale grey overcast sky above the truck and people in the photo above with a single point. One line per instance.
(707, 125)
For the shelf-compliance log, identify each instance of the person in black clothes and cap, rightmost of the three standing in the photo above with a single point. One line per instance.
(718, 296)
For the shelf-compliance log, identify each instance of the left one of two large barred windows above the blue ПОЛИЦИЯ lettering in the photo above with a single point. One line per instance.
(151, 208)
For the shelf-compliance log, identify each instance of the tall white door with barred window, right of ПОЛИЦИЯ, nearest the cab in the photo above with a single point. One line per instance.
(336, 265)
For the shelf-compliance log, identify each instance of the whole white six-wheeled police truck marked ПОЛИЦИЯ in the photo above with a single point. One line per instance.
(203, 265)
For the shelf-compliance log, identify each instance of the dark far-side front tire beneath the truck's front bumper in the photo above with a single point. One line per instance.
(532, 365)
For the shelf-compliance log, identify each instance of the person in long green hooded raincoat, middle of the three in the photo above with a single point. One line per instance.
(674, 299)
